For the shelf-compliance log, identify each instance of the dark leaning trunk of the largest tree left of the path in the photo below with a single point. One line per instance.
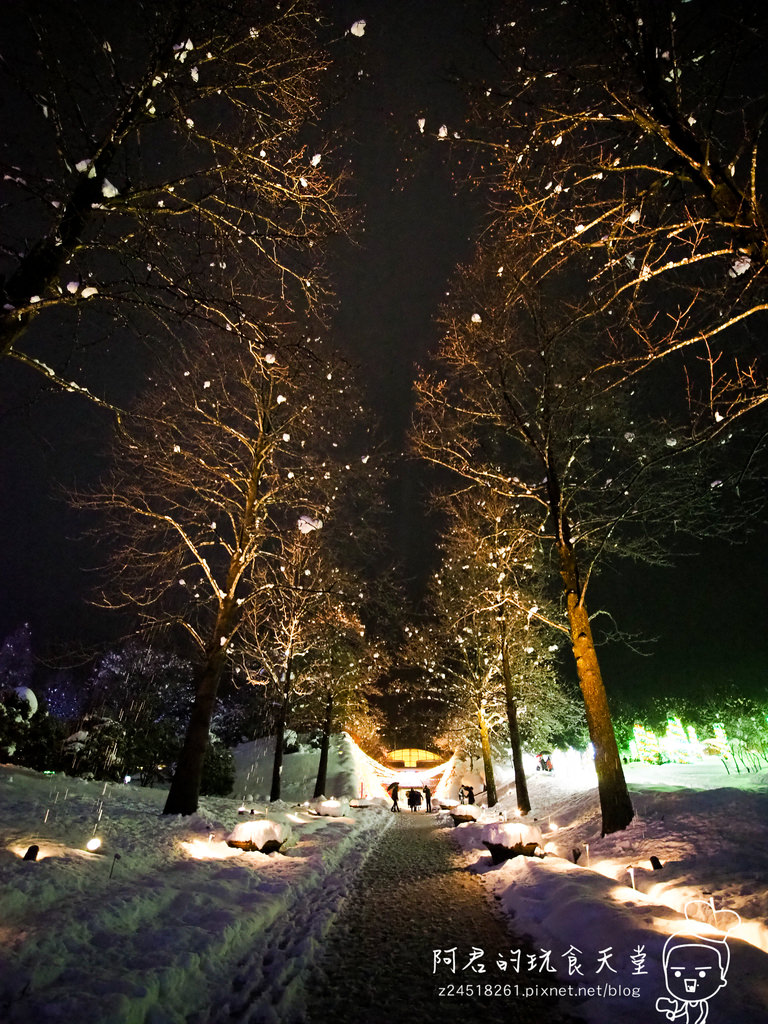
(185, 792)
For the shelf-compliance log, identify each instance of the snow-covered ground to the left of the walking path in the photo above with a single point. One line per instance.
(167, 922)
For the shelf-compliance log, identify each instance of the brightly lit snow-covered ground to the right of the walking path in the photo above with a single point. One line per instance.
(602, 923)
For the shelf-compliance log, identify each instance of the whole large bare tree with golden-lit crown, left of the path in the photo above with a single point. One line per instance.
(227, 444)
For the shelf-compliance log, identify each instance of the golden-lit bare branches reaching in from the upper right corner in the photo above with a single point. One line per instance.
(624, 140)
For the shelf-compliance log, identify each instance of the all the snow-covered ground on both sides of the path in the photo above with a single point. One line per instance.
(167, 924)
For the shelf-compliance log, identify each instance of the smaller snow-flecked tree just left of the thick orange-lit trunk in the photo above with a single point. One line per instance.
(482, 599)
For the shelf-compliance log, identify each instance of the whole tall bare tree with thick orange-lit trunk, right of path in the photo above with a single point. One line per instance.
(528, 401)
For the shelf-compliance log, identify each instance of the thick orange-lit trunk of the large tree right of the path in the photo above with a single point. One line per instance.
(615, 799)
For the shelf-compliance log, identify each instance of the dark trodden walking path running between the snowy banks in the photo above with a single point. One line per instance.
(412, 898)
